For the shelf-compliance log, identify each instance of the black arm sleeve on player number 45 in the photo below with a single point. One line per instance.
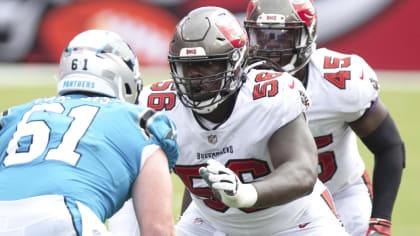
(386, 144)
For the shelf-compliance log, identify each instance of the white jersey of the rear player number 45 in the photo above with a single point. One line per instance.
(341, 88)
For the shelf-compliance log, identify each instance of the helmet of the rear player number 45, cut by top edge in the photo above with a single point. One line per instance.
(282, 32)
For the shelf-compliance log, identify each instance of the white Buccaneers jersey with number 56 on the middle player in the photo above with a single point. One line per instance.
(266, 102)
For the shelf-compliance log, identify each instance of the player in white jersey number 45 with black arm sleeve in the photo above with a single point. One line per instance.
(345, 104)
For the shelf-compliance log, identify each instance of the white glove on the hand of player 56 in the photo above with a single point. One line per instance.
(227, 187)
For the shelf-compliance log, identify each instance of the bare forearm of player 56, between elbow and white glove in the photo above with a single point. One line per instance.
(285, 184)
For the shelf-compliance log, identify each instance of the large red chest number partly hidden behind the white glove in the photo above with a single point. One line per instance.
(257, 168)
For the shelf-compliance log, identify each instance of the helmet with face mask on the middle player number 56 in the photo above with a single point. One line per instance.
(208, 35)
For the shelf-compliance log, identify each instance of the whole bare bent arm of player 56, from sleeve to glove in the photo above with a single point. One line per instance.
(294, 157)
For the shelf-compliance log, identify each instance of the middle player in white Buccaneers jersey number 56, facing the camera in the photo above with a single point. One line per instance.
(247, 158)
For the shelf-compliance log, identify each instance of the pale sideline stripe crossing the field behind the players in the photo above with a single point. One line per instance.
(30, 75)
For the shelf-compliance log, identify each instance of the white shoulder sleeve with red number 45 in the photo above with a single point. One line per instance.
(348, 84)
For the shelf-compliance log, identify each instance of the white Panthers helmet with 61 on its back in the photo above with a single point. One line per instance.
(99, 61)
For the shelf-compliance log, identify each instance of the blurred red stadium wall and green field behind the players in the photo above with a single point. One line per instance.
(383, 32)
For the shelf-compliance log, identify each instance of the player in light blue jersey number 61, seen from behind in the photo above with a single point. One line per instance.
(69, 162)
